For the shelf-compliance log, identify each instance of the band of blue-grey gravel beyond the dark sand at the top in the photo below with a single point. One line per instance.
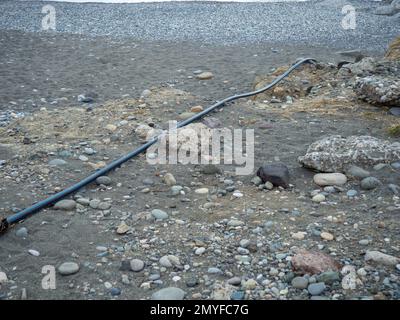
(314, 22)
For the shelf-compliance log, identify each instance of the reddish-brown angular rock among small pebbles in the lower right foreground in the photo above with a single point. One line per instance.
(314, 262)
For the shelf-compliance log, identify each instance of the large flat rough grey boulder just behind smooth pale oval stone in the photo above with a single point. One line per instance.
(336, 153)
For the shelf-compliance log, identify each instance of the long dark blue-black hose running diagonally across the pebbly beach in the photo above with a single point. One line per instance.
(5, 223)
